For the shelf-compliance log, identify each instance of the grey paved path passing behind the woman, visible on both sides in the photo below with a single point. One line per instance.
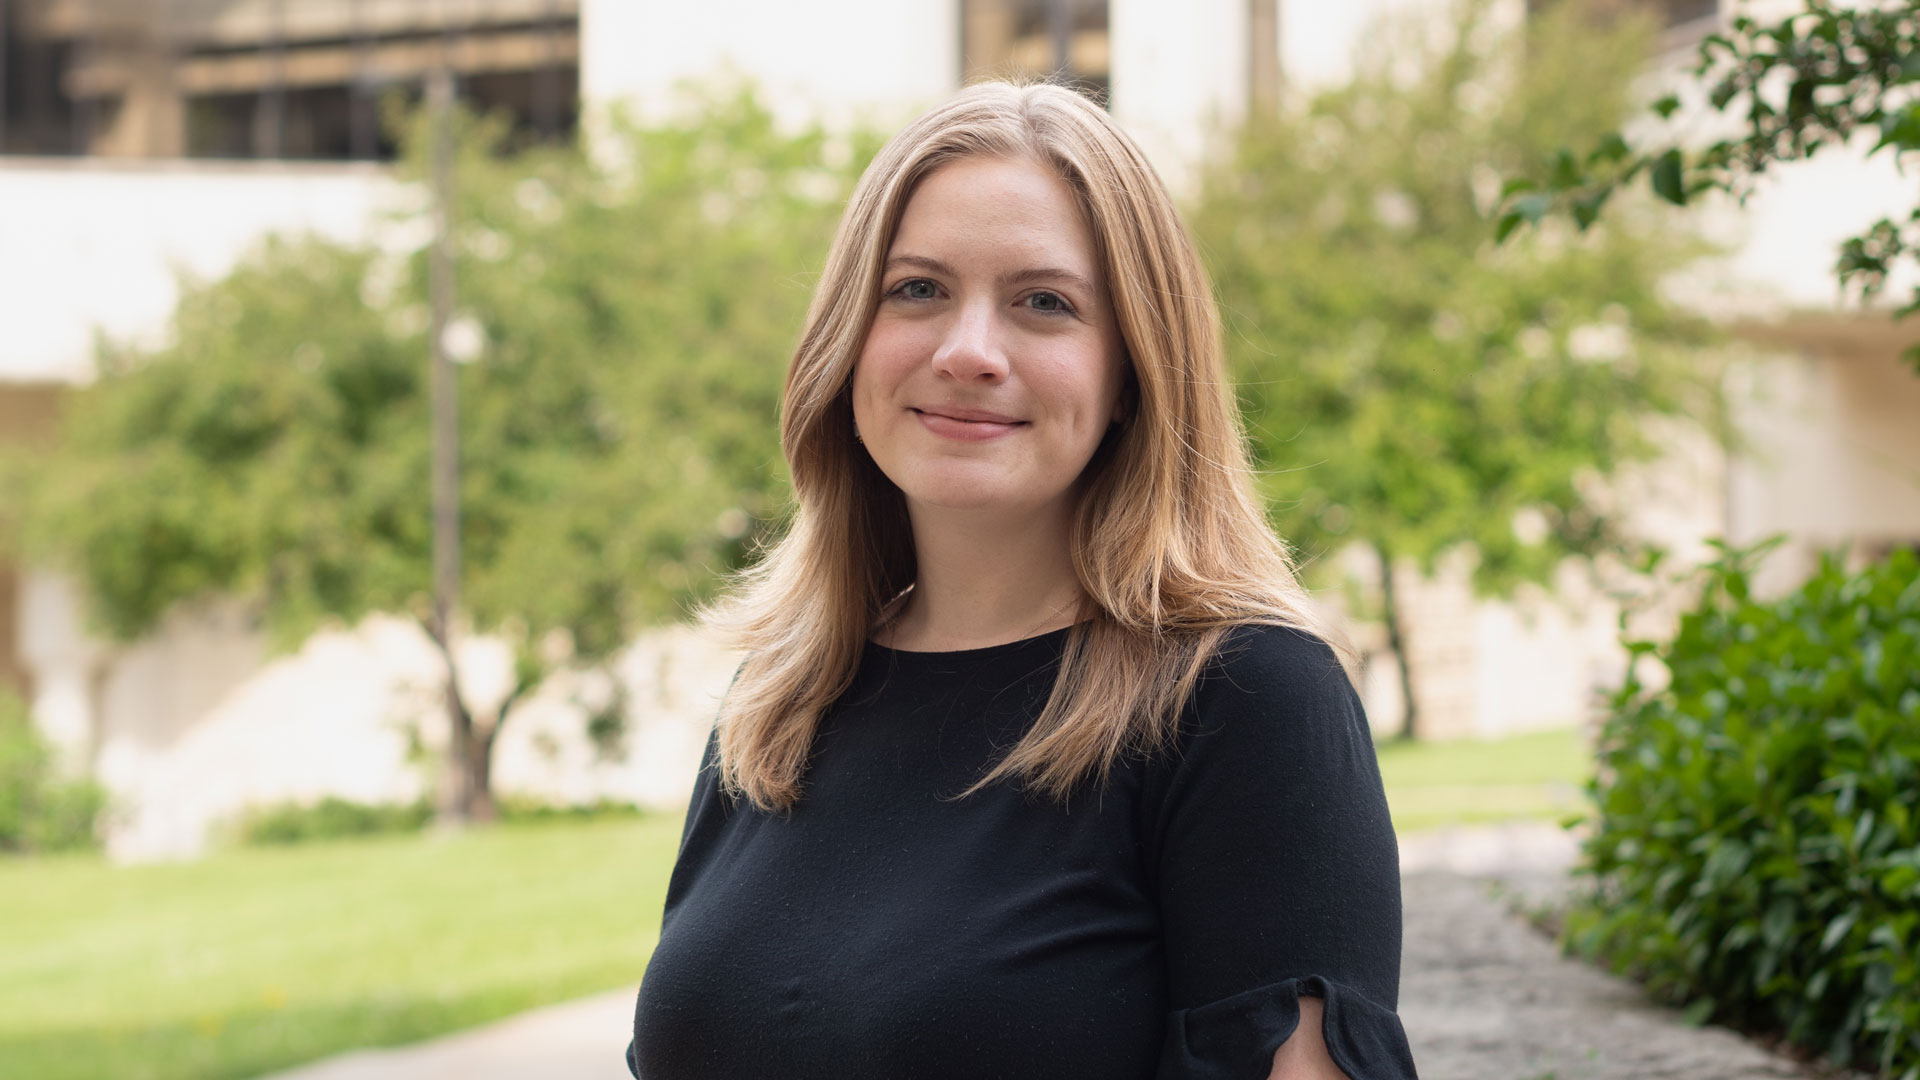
(1483, 996)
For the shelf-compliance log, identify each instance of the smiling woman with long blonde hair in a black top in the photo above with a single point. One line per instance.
(1040, 764)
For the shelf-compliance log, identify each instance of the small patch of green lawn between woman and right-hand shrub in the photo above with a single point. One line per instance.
(1539, 777)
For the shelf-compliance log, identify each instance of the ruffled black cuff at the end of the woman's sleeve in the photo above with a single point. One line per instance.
(1236, 1039)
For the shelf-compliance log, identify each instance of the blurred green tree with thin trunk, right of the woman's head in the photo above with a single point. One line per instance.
(1410, 385)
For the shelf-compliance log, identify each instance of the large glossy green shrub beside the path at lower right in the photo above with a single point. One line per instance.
(1758, 847)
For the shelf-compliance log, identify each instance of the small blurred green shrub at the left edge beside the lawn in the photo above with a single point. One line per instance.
(39, 808)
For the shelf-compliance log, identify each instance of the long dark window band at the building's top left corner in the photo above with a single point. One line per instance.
(272, 80)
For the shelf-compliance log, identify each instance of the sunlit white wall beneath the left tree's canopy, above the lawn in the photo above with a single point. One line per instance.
(199, 724)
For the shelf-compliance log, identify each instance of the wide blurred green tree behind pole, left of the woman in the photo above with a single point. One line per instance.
(635, 312)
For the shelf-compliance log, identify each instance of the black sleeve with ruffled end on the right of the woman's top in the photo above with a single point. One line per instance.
(1276, 870)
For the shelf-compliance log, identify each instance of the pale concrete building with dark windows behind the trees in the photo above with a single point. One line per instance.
(95, 216)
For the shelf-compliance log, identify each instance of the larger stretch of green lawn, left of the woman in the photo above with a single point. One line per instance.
(258, 960)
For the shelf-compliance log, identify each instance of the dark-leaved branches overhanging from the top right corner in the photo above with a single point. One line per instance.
(1821, 80)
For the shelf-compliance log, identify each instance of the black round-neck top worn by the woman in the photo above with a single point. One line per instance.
(1161, 929)
